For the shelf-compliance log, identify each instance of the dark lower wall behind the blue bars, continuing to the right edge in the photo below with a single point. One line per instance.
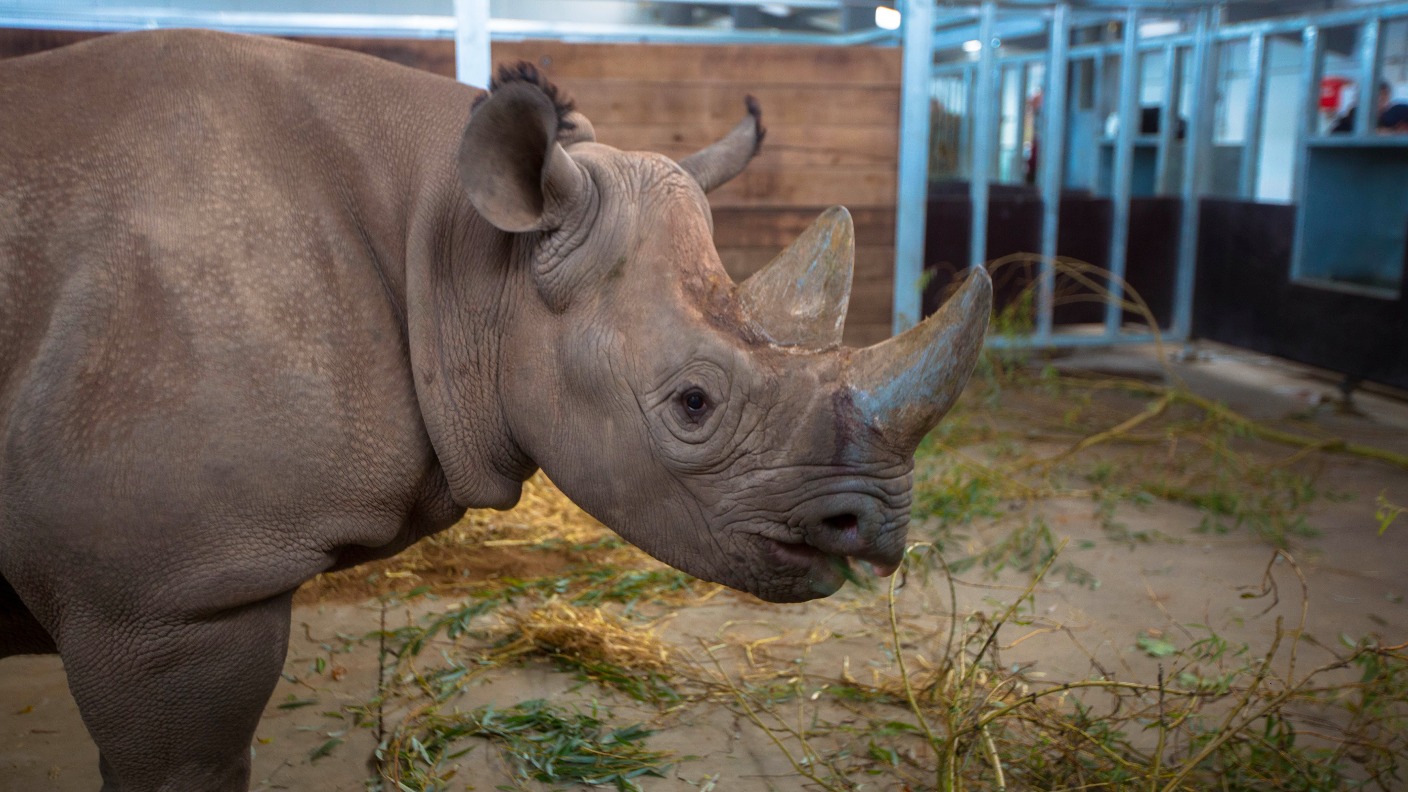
(1244, 294)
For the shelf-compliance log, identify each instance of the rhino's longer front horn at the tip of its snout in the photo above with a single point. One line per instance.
(903, 387)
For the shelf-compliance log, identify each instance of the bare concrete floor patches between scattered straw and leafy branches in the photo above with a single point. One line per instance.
(1359, 584)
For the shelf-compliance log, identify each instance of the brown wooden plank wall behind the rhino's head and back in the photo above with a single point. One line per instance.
(833, 119)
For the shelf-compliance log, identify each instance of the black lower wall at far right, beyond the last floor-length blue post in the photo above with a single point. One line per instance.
(1245, 297)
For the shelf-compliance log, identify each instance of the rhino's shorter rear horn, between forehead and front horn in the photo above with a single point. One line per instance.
(800, 298)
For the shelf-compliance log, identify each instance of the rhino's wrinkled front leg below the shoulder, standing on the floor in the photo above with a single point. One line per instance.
(174, 705)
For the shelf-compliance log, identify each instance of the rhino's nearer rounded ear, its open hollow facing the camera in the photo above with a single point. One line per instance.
(516, 173)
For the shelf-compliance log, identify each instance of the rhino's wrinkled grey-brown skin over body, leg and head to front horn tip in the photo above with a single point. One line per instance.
(270, 311)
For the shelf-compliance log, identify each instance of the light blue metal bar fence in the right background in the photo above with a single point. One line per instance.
(1202, 47)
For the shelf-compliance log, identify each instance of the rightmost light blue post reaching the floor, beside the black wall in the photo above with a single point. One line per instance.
(1202, 80)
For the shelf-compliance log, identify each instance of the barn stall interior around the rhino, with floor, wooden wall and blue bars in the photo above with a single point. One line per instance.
(1159, 542)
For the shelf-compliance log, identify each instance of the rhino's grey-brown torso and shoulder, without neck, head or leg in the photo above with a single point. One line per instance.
(202, 304)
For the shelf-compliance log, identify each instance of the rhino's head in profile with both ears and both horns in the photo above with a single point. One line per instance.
(723, 429)
